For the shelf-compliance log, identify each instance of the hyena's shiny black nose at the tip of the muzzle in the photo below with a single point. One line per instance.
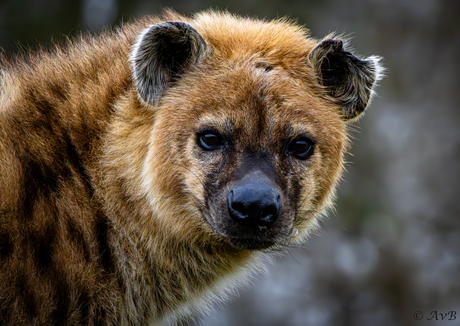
(254, 202)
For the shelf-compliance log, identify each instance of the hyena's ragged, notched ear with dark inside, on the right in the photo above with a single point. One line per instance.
(349, 80)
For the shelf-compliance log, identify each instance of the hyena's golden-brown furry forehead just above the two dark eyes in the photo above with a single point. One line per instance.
(249, 101)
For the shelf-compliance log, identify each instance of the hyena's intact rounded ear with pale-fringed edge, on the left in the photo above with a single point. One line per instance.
(161, 54)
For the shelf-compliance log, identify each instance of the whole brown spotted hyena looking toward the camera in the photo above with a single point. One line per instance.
(145, 171)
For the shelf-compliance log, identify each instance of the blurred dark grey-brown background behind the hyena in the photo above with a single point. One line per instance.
(391, 252)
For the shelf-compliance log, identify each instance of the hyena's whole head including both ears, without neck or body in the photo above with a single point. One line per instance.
(250, 126)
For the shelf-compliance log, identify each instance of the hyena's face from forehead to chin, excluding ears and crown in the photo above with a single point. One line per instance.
(254, 164)
